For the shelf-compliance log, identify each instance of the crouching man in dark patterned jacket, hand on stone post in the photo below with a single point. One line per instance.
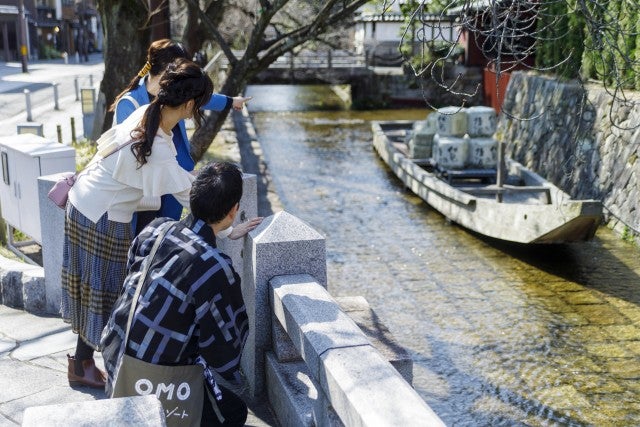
(190, 308)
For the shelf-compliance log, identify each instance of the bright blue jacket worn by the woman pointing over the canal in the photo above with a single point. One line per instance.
(170, 206)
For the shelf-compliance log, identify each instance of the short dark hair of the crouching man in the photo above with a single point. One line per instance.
(216, 190)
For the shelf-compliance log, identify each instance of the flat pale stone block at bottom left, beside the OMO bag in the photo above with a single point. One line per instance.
(135, 411)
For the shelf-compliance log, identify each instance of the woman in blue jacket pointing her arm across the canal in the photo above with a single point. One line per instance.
(141, 91)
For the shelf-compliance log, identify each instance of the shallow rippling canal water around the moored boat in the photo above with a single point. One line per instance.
(500, 334)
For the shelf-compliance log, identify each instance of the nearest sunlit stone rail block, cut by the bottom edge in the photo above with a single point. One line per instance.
(366, 390)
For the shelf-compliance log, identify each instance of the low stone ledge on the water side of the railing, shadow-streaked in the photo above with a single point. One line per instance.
(359, 310)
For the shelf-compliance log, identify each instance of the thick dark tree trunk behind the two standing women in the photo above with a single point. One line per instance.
(125, 46)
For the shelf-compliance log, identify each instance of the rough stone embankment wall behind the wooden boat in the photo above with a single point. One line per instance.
(585, 142)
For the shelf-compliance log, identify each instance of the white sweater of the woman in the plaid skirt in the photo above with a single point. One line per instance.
(116, 184)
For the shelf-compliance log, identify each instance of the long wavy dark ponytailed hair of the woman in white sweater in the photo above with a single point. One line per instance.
(182, 81)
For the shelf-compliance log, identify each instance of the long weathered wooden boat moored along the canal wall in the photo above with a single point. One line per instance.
(525, 209)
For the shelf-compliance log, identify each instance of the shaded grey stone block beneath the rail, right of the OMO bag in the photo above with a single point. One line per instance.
(291, 391)
